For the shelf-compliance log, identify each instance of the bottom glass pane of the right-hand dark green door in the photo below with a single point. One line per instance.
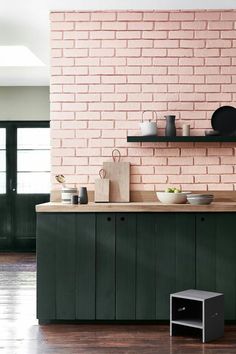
(33, 182)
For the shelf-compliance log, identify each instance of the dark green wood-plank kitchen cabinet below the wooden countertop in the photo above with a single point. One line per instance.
(123, 266)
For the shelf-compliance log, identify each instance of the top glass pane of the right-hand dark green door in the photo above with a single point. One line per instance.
(33, 138)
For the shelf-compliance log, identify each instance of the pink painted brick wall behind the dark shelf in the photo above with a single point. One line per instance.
(107, 67)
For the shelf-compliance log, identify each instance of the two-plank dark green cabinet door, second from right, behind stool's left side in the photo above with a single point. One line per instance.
(175, 258)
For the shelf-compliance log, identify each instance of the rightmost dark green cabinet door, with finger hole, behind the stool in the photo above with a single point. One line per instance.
(216, 261)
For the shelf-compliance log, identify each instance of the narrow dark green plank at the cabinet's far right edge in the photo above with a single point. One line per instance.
(226, 262)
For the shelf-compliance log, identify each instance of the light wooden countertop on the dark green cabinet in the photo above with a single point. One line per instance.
(53, 207)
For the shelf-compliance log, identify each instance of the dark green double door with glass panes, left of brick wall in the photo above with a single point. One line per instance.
(24, 181)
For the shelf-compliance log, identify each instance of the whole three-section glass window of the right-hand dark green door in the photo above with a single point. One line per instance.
(33, 160)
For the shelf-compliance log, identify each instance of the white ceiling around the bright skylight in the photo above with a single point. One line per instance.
(26, 22)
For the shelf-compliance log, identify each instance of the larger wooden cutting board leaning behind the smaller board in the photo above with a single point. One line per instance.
(119, 176)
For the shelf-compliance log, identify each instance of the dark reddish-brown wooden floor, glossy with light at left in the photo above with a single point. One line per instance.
(21, 334)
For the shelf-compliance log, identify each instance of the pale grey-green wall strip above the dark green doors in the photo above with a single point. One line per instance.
(24, 103)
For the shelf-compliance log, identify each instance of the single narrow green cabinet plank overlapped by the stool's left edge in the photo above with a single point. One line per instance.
(165, 258)
